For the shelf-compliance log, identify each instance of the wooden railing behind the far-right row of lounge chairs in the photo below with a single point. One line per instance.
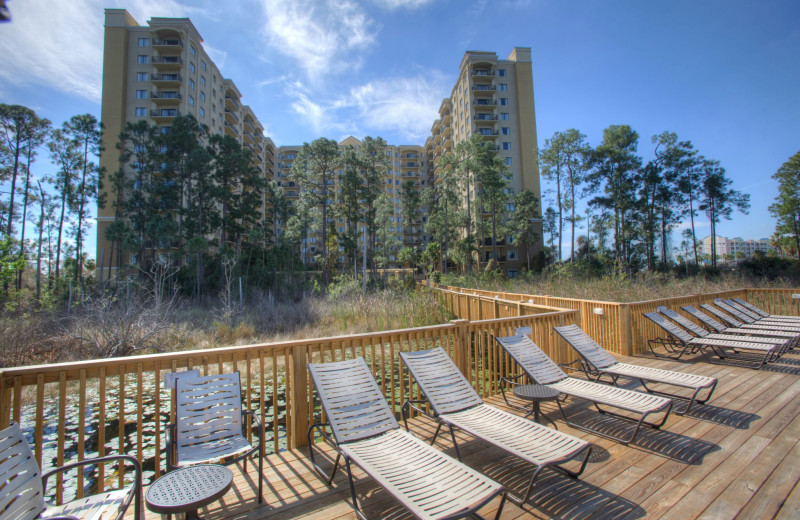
(618, 327)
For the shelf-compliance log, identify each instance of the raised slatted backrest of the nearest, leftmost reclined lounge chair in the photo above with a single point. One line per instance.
(352, 401)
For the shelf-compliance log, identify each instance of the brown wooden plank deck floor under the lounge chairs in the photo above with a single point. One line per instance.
(738, 457)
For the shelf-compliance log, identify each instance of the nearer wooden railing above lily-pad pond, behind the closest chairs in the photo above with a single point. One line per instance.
(72, 411)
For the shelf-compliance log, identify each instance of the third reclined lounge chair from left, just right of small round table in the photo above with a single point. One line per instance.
(543, 371)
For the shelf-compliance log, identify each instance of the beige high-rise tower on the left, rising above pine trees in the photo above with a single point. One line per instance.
(157, 72)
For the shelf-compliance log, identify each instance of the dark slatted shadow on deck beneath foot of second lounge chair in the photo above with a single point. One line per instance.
(557, 496)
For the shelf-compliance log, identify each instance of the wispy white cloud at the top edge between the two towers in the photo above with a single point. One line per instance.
(324, 36)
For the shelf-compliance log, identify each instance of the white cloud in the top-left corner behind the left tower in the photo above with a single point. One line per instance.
(62, 48)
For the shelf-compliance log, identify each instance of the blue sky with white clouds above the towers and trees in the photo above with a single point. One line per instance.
(723, 74)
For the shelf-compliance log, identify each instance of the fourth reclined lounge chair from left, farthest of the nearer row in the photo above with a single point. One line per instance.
(597, 362)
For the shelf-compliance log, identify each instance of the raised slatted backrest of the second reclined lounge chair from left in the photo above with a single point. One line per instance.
(441, 381)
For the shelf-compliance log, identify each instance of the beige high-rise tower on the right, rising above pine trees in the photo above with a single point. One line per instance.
(493, 98)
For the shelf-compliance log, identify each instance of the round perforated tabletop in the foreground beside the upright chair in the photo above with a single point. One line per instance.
(186, 490)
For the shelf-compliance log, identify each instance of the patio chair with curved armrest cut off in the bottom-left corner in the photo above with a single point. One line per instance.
(22, 486)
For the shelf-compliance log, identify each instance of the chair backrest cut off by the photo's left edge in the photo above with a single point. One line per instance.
(21, 493)
